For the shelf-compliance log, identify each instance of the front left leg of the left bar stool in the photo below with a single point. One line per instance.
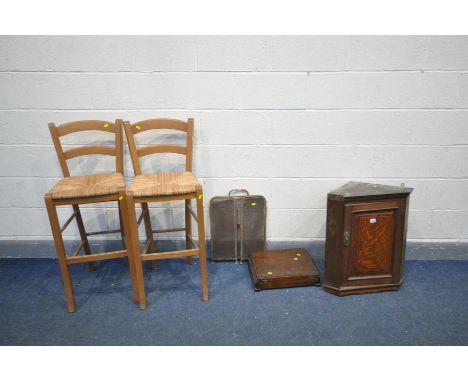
(60, 249)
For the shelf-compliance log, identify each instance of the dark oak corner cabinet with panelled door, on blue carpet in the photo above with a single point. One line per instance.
(365, 238)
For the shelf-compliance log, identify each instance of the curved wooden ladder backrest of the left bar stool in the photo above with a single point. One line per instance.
(73, 127)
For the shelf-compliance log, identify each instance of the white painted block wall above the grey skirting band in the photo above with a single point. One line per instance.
(288, 117)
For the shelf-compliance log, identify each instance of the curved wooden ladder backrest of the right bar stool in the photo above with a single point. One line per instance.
(162, 124)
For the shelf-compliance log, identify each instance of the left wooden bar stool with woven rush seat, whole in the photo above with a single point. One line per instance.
(76, 190)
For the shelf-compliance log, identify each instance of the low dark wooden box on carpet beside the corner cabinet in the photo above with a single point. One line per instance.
(282, 268)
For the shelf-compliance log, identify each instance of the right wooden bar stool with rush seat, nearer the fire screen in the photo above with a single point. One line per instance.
(160, 187)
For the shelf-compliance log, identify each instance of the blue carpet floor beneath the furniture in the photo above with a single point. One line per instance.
(430, 309)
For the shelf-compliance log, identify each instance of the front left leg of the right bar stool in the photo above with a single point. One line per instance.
(133, 245)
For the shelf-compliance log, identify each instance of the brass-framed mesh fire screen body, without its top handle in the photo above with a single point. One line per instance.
(237, 226)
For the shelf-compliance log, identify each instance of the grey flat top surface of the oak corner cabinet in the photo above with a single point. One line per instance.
(352, 190)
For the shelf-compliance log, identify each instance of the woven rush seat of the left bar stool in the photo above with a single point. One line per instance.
(88, 185)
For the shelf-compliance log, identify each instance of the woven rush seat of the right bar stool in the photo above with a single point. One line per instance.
(168, 183)
